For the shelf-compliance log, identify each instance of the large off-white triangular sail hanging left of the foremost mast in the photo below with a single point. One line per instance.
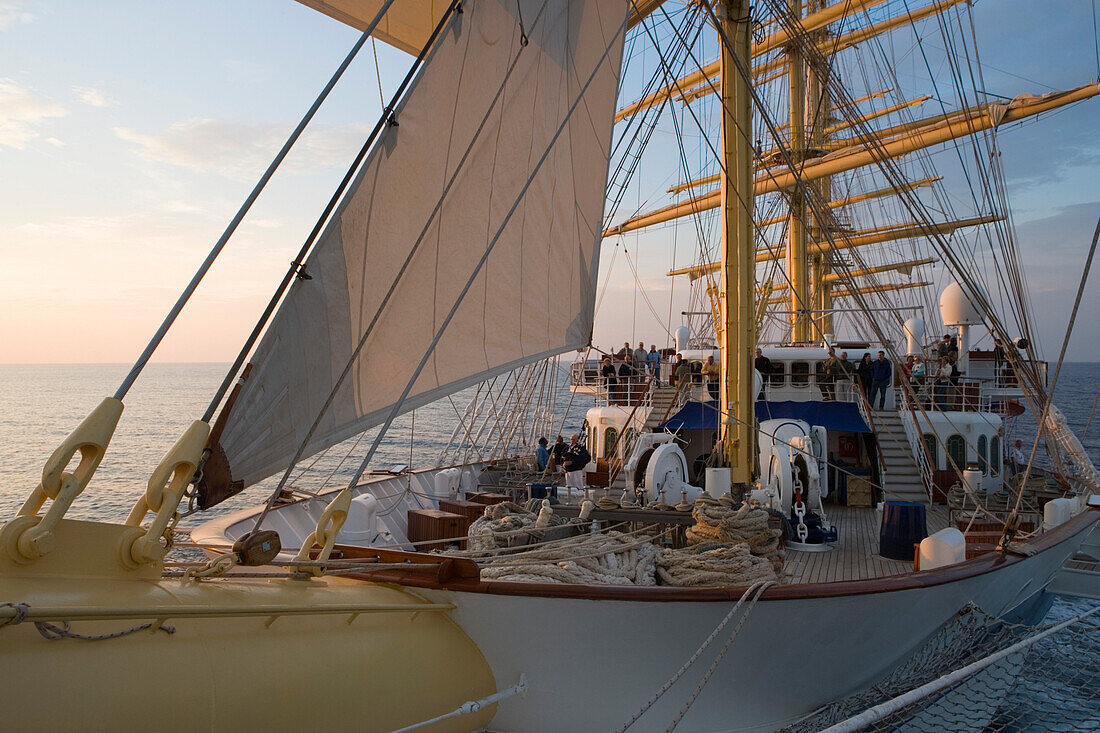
(471, 140)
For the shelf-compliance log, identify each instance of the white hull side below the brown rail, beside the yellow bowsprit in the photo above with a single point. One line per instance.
(592, 664)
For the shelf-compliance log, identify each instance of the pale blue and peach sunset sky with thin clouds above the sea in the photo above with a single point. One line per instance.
(130, 132)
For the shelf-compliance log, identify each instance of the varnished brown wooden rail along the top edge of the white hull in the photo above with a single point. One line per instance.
(989, 563)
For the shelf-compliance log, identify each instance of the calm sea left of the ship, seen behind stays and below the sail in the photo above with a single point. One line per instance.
(40, 406)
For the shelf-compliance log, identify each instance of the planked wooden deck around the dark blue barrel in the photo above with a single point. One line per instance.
(855, 556)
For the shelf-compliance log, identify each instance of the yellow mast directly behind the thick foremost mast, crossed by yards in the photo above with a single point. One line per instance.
(797, 270)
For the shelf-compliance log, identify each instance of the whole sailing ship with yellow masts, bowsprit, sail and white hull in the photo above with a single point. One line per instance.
(464, 247)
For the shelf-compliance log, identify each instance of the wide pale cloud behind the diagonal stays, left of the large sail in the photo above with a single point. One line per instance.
(243, 151)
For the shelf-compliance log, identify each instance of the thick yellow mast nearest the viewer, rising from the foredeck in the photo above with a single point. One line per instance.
(739, 251)
